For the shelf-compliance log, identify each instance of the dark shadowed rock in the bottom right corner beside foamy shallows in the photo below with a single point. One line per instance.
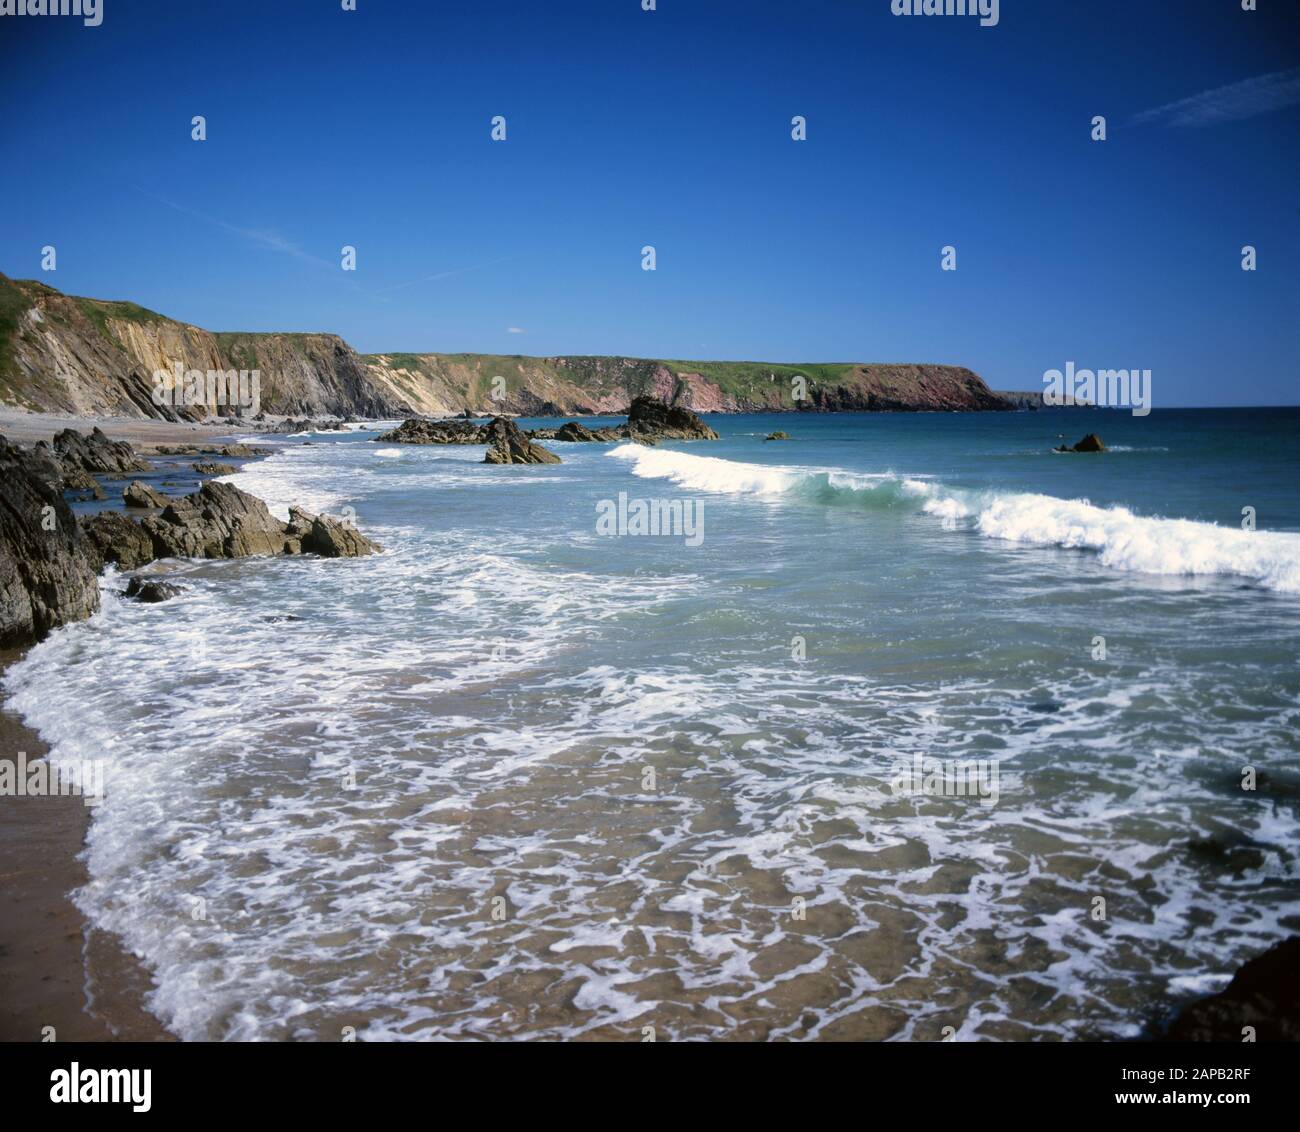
(1264, 995)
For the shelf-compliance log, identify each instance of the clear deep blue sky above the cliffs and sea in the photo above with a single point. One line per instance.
(673, 128)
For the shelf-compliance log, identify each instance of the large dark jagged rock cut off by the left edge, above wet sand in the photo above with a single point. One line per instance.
(47, 569)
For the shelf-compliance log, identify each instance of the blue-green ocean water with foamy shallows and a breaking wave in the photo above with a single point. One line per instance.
(519, 779)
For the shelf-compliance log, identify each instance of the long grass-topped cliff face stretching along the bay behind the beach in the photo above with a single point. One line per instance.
(89, 357)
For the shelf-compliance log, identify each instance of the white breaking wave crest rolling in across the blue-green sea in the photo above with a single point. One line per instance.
(1123, 540)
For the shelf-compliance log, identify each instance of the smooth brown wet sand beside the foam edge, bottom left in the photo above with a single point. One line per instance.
(55, 970)
